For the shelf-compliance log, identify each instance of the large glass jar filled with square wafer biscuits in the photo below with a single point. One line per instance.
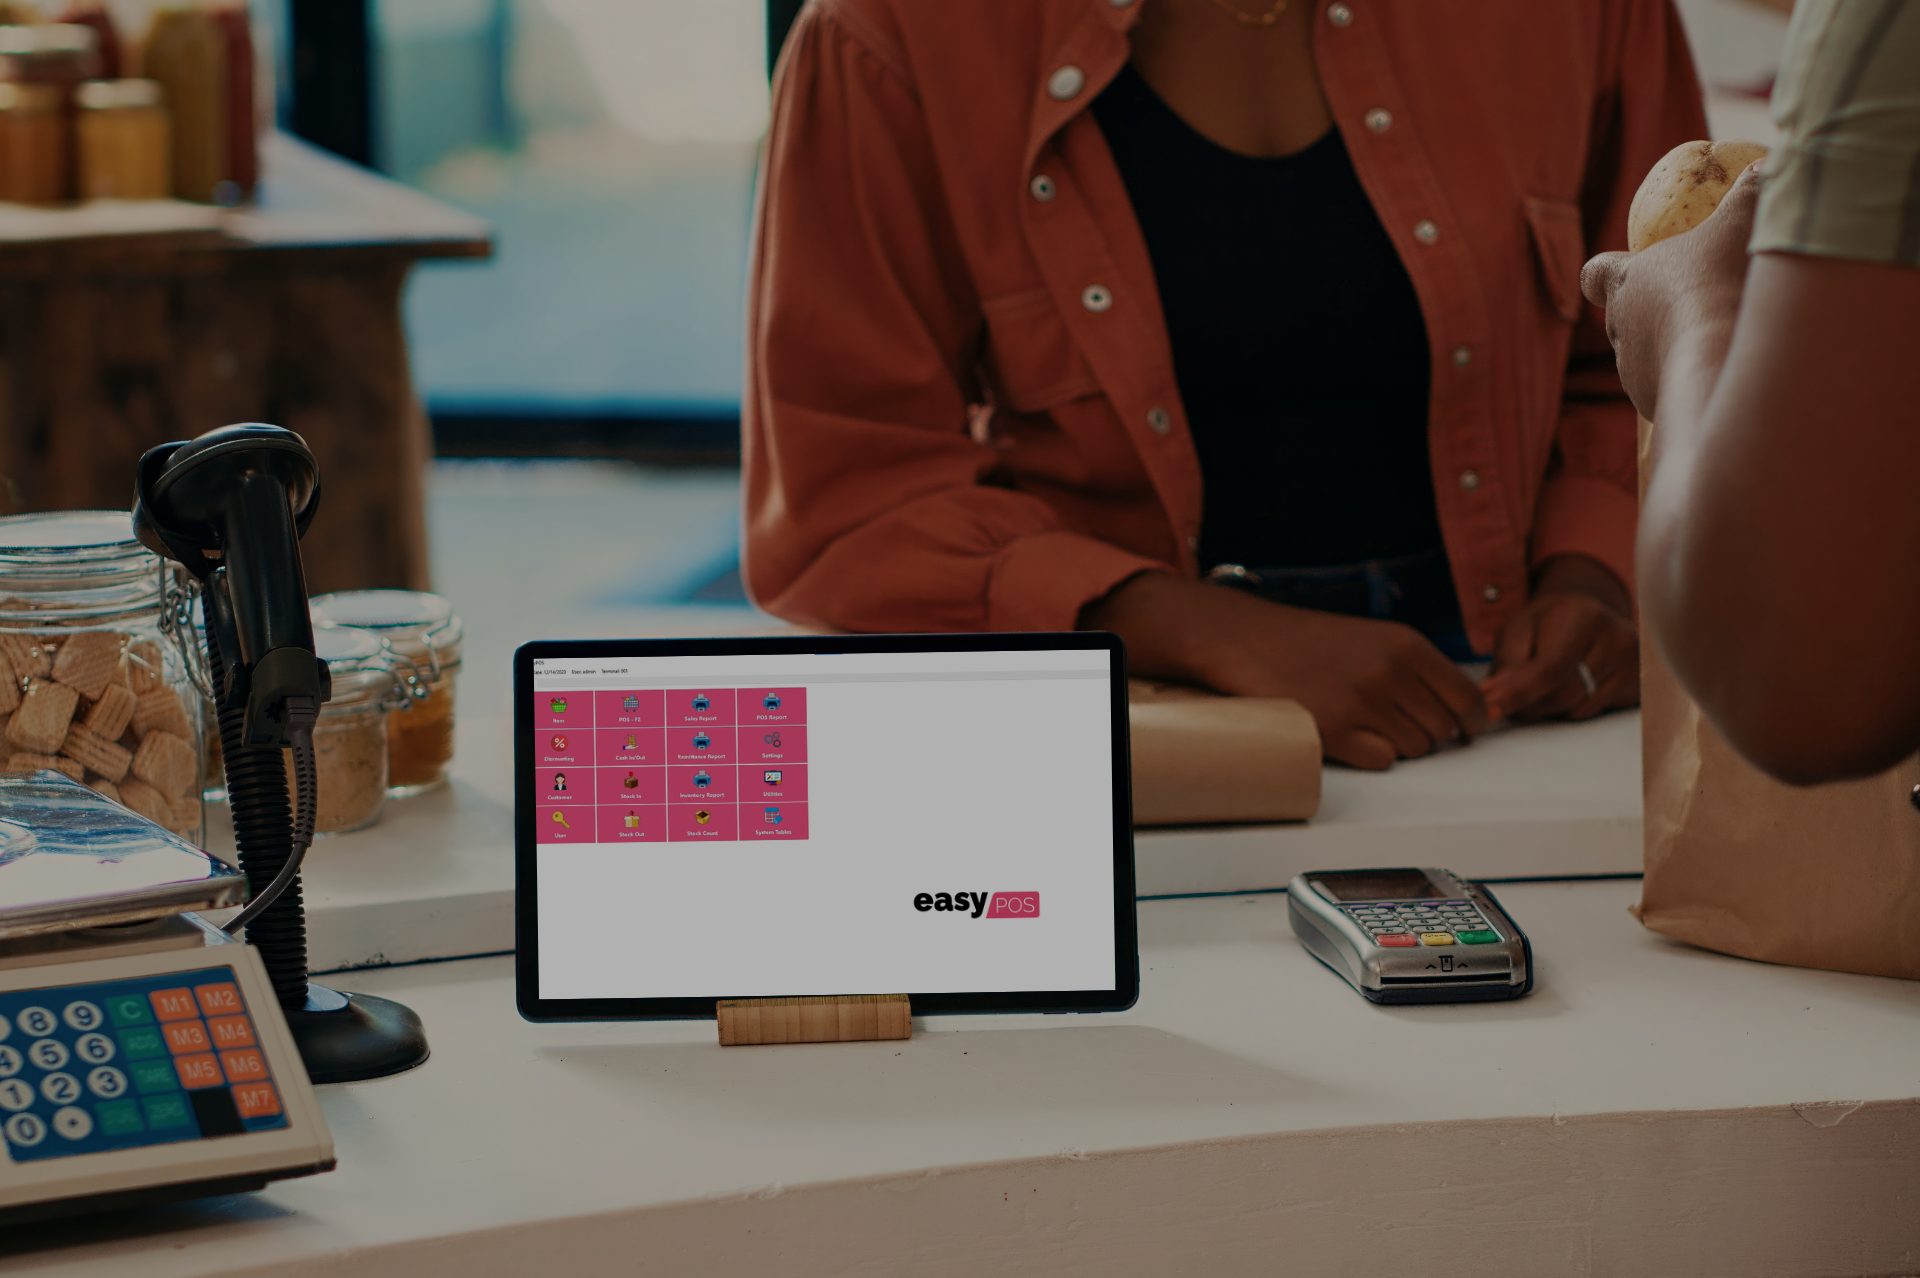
(95, 680)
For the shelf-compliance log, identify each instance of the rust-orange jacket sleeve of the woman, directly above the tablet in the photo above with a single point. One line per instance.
(869, 498)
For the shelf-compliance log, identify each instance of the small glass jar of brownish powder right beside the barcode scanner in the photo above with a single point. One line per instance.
(350, 749)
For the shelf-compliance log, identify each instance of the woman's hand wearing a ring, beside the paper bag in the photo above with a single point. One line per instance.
(1572, 653)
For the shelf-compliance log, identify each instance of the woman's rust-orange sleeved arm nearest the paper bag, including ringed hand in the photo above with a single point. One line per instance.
(1583, 536)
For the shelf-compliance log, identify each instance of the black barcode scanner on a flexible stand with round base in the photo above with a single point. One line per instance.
(231, 508)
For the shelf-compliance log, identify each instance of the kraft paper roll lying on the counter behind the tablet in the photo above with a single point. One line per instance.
(1209, 761)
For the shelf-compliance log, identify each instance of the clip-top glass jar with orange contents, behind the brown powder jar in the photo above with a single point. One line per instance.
(425, 634)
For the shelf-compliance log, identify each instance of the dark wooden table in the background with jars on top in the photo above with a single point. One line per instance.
(128, 325)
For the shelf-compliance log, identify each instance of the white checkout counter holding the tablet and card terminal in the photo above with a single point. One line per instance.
(1648, 1110)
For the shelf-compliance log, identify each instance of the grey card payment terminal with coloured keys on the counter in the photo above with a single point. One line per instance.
(1410, 935)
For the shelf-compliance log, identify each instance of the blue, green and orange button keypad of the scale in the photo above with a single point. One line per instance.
(128, 1064)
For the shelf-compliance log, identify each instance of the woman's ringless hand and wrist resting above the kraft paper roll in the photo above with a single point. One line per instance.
(1378, 690)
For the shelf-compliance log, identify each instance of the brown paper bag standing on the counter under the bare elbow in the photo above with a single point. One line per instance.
(1744, 864)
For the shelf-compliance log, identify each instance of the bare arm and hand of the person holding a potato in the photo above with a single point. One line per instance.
(1781, 544)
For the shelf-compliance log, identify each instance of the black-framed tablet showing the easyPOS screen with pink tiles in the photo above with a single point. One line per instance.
(942, 816)
